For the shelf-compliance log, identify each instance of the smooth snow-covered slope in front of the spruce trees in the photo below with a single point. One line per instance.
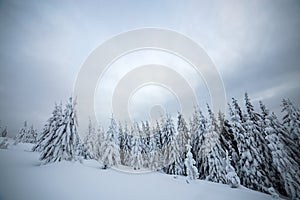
(23, 178)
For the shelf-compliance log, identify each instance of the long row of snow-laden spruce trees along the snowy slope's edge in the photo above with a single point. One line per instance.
(247, 147)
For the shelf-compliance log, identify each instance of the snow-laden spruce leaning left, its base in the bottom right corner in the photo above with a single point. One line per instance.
(287, 178)
